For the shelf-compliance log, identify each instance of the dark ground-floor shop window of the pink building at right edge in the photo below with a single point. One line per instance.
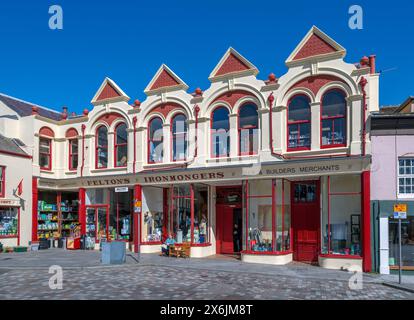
(407, 242)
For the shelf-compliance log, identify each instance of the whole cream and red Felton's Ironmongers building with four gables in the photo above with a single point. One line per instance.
(275, 170)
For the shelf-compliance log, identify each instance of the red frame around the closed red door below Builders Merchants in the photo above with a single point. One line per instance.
(317, 201)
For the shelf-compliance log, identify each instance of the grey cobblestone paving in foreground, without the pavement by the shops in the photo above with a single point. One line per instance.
(161, 282)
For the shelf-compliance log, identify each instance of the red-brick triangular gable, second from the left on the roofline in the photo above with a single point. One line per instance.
(165, 80)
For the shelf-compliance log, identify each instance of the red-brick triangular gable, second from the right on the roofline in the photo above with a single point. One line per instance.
(233, 63)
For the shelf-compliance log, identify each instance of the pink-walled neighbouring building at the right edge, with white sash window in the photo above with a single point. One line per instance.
(392, 181)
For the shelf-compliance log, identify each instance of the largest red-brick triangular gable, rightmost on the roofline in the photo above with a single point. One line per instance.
(314, 45)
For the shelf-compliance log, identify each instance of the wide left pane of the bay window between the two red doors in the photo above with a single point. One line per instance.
(260, 216)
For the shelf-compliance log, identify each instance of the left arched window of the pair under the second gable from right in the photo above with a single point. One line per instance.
(220, 137)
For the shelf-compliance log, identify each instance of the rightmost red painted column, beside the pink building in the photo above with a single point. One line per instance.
(366, 220)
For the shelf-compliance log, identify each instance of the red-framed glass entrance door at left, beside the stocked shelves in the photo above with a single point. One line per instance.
(97, 222)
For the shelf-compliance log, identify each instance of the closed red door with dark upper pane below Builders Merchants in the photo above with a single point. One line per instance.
(305, 221)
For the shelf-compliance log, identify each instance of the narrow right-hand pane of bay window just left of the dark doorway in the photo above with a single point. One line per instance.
(201, 223)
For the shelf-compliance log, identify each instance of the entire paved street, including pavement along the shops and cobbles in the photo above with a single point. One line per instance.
(182, 279)
